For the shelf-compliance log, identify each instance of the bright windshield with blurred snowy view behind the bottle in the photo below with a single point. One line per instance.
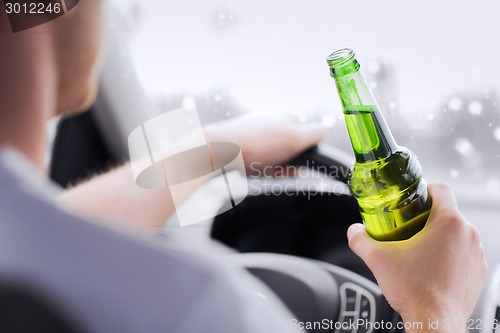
(433, 69)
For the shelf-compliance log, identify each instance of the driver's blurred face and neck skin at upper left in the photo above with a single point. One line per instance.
(47, 70)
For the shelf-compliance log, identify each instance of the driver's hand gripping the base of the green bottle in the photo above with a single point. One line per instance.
(438, 273)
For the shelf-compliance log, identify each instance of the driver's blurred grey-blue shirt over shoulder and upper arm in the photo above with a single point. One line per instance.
(115, 282)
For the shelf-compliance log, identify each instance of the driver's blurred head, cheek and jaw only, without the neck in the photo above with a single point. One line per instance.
(65, 52)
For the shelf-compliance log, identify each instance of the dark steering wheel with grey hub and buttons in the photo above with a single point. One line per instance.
(295, 242)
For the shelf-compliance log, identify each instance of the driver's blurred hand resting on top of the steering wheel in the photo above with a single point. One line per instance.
(266, 140)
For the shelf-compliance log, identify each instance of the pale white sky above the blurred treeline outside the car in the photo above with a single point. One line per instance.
(272, 54)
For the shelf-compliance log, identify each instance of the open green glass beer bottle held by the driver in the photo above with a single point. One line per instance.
(386, 179)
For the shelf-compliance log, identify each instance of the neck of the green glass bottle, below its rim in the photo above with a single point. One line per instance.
(370, 136)
